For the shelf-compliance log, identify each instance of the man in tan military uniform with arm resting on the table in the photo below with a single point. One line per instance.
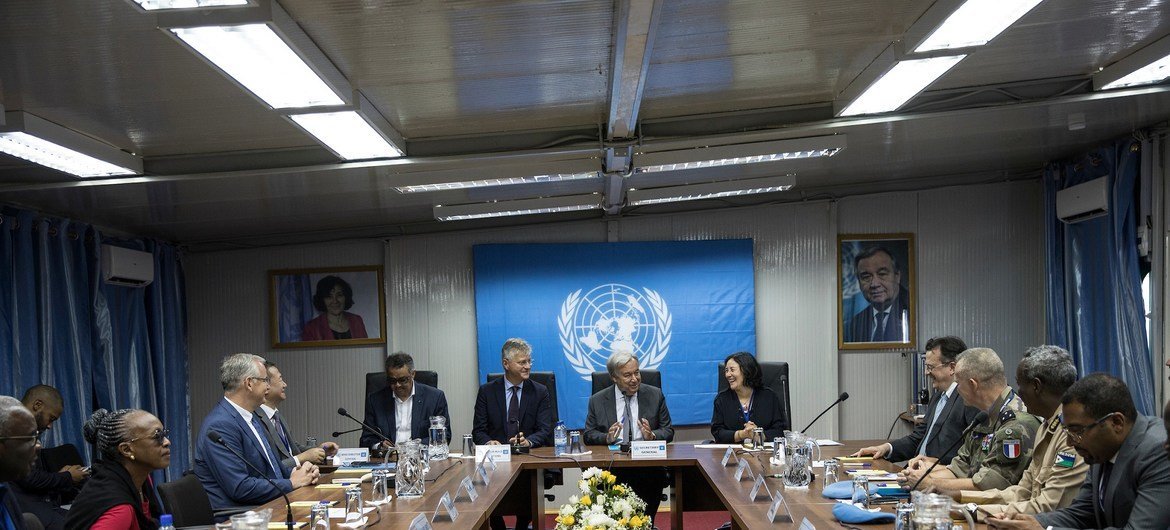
(1057, 472)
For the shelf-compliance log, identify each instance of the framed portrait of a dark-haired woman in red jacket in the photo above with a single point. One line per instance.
(334, 307)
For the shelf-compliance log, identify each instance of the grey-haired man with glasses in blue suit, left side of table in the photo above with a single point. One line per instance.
(230, 483)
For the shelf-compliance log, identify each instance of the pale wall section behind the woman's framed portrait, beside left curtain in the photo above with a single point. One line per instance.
(228, 313)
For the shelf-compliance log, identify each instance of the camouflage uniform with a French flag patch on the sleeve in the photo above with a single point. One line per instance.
(996, 455)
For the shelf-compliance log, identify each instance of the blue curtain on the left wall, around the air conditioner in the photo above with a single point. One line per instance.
(101, 346)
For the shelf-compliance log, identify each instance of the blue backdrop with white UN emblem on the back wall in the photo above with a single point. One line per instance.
(682, 307)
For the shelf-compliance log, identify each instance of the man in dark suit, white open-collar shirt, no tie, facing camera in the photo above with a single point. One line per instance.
(403, 411)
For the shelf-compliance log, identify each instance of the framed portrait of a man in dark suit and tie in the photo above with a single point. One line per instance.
(876, 307)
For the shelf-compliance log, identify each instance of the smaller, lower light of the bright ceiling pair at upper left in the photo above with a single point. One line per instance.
(348, 135)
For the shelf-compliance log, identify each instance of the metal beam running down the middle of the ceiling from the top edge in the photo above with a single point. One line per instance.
(635, 25)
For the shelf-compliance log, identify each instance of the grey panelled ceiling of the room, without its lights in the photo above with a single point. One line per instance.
(492, 88)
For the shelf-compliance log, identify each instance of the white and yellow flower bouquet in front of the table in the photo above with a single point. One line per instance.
(603, 505)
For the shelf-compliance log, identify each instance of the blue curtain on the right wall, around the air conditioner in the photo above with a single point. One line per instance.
(1095, 279)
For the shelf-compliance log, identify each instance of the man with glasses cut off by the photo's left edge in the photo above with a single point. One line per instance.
(19, 443)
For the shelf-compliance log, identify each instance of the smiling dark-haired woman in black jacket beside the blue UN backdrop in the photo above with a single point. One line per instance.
(747, 404)
